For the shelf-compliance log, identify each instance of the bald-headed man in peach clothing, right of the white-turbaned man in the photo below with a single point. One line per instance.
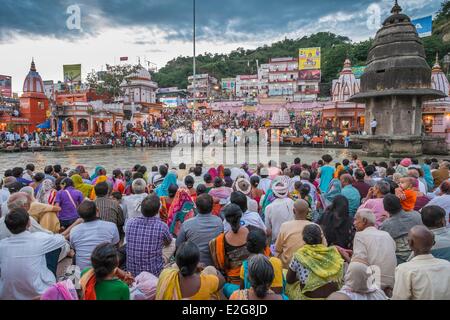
(290, 237)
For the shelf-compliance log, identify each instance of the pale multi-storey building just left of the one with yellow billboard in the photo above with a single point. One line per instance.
(283, 77)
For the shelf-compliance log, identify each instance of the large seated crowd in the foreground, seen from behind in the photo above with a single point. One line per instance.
(351, 230)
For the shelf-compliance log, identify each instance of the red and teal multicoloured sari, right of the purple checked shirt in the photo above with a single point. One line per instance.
(181, 209)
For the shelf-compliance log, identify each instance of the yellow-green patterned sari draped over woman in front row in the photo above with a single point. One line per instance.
(325, 265)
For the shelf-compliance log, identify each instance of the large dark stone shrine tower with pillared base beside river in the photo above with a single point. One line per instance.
(396, 82)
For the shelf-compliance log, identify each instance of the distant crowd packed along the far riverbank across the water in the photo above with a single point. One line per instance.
(179, 126)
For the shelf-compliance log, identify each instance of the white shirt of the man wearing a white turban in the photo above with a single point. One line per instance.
(277, 213)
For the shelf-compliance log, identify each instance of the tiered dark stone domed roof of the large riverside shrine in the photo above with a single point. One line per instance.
(396, 63)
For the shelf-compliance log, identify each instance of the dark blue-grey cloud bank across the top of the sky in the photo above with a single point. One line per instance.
(230, 20)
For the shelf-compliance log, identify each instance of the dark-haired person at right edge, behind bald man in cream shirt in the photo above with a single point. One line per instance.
(434, 218)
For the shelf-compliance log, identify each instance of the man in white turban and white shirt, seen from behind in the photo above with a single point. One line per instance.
(281, 210)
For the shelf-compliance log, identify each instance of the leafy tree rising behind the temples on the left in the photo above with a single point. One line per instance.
(109, 81)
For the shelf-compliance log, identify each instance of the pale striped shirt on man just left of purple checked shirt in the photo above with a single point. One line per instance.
(85, 237)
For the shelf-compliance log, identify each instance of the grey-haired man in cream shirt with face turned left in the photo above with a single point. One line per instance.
(375, 248)
